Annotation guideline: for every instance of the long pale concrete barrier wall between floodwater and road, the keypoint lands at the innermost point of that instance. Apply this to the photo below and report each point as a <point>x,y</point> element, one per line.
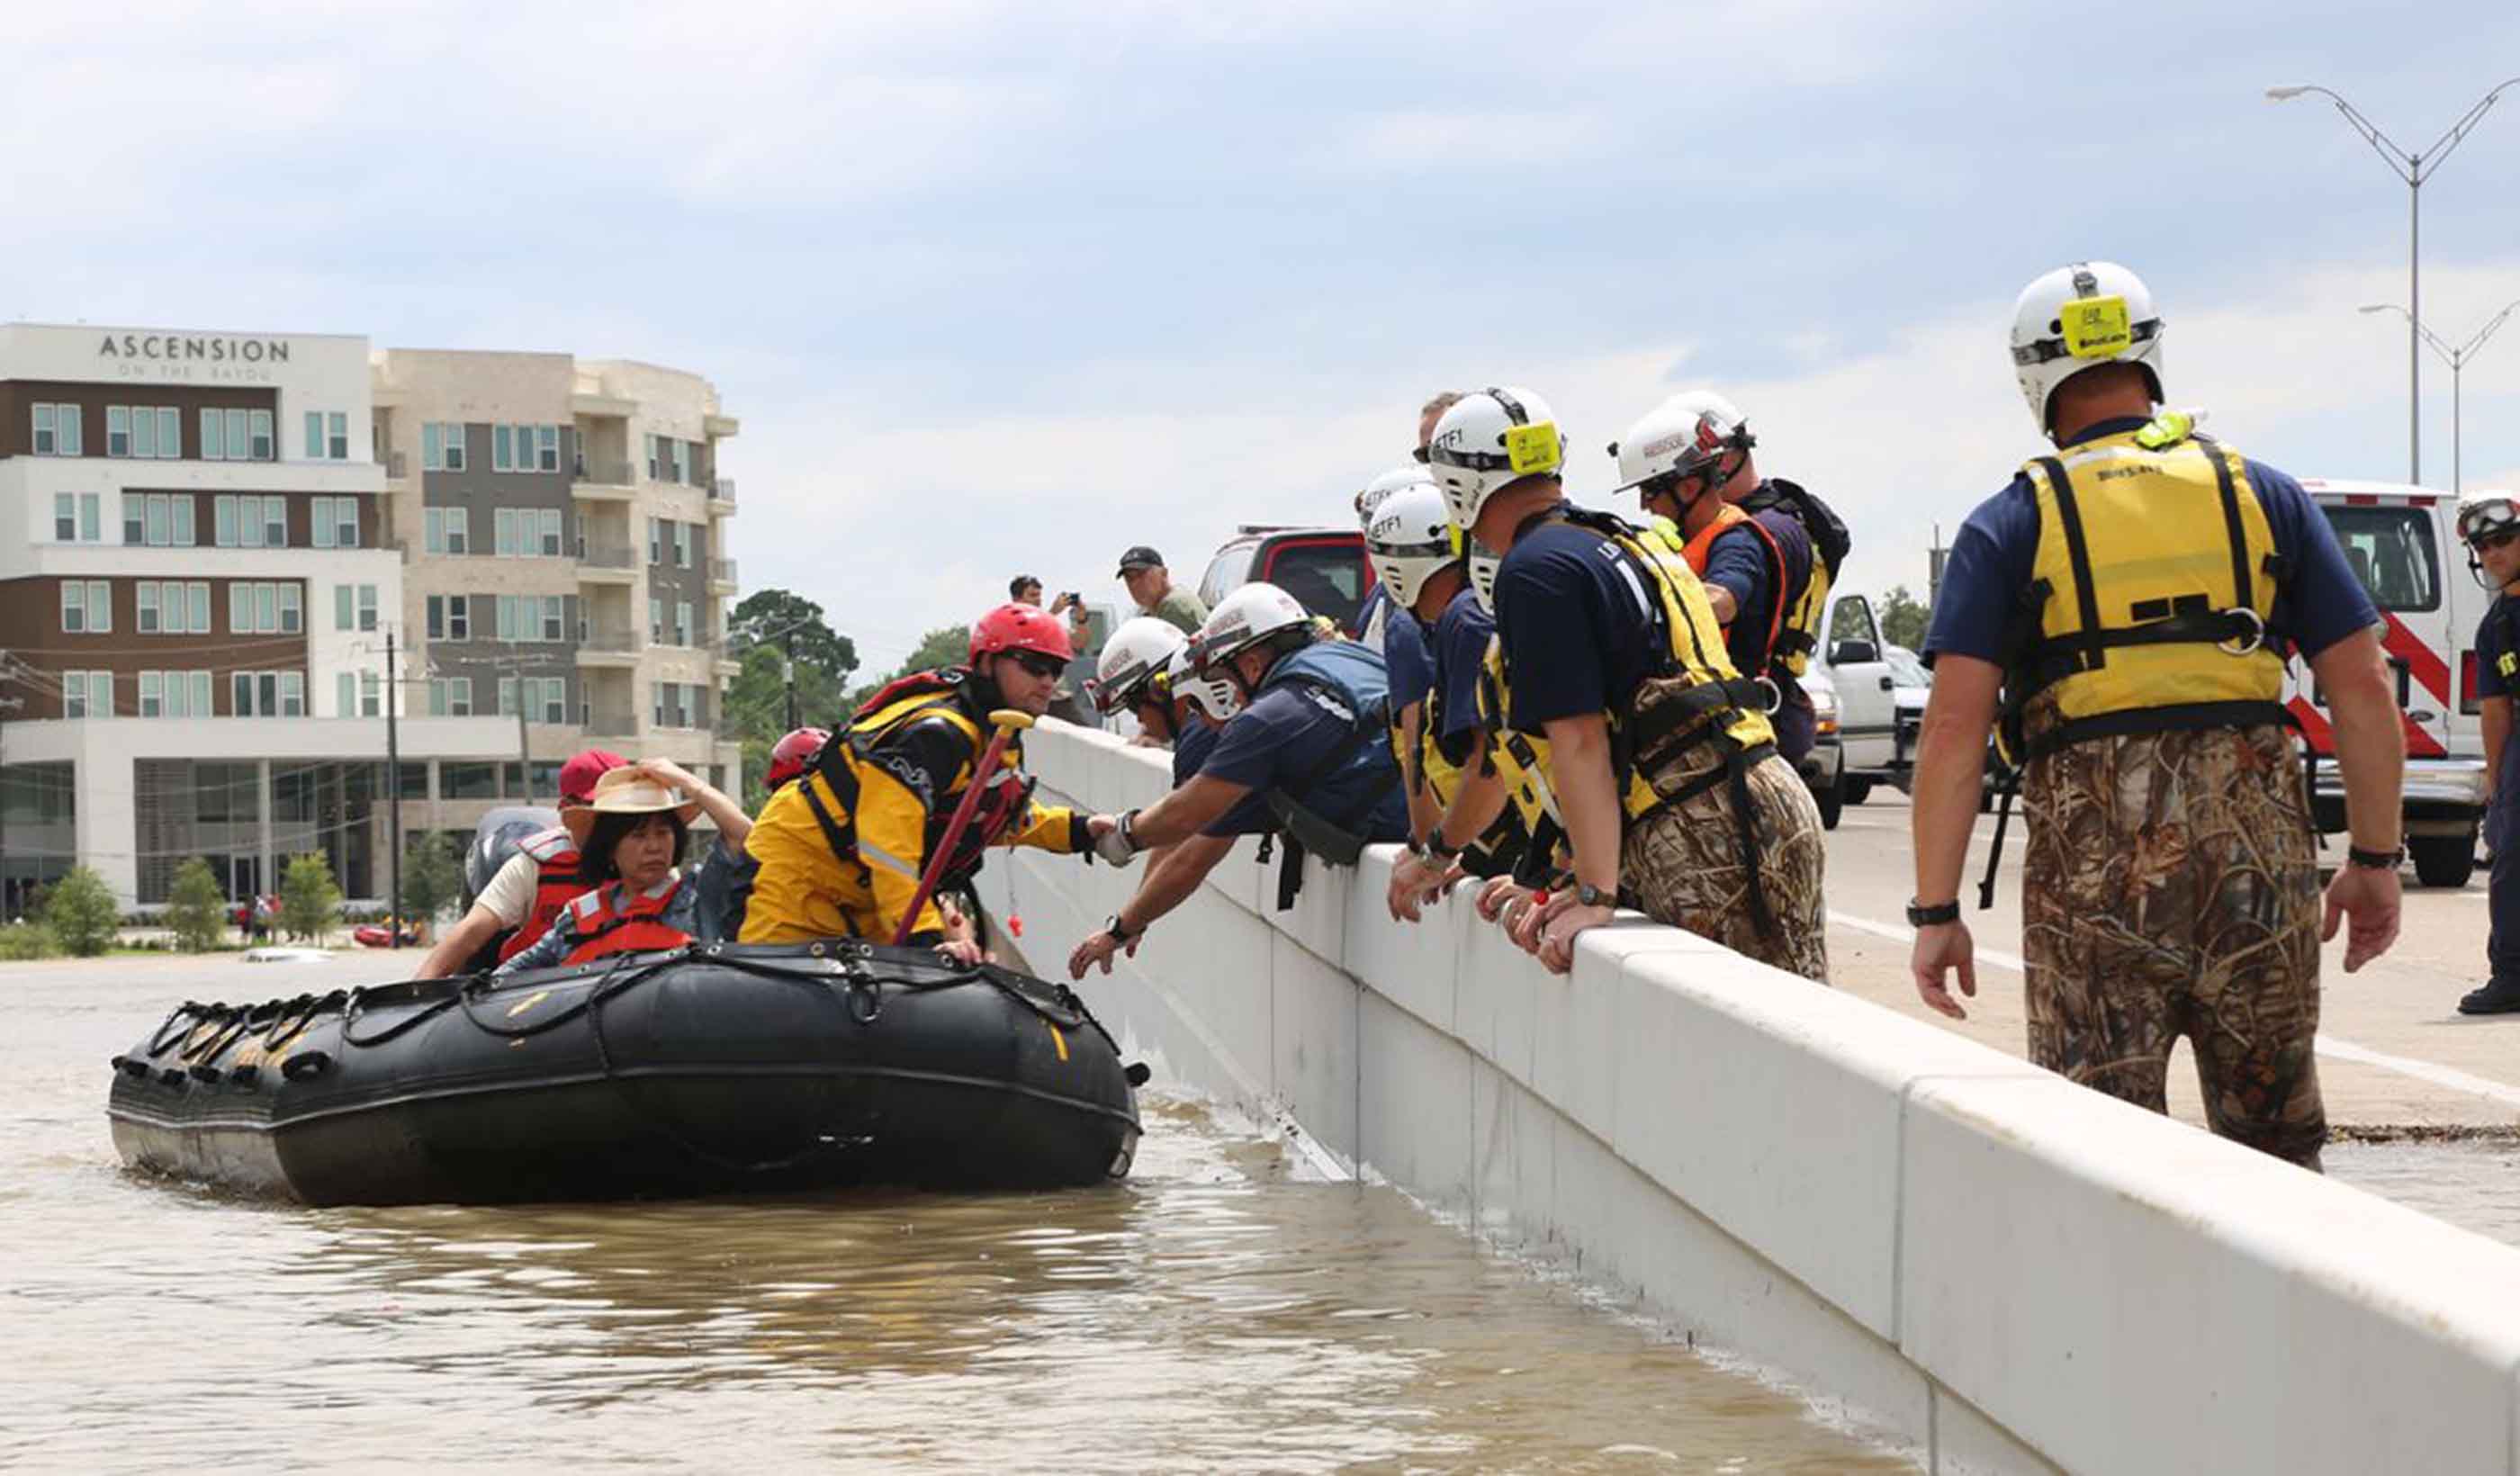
<point>1937,1240</point>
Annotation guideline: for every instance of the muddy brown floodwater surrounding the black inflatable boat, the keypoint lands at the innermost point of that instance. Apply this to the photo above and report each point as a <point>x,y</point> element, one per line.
<point>1211,1314</point>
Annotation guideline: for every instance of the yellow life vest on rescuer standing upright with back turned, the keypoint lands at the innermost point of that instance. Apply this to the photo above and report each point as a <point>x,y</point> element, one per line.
<point>2151,593</point>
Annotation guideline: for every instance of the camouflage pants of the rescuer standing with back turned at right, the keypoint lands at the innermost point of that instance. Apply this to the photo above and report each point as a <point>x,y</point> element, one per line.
<point>2168,890</point>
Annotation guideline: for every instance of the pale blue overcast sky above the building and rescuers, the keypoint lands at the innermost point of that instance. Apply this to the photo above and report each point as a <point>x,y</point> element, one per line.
<point>1017,286</point>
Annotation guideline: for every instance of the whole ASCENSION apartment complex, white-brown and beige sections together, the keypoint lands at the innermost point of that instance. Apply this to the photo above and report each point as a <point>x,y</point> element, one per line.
<point>210,540</point>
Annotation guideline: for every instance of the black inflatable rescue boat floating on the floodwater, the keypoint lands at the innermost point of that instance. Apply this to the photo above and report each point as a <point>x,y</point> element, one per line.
<point>697,1072</point>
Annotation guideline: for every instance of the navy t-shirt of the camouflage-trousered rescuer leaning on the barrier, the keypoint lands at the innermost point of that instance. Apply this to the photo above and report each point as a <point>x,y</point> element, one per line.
<point>1576,623</point>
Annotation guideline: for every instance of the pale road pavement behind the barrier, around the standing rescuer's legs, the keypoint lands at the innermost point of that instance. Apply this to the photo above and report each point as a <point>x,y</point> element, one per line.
<point>2393,1049</point>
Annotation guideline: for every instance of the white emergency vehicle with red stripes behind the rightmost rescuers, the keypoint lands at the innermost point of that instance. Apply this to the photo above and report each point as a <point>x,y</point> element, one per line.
<point>2403,545</point>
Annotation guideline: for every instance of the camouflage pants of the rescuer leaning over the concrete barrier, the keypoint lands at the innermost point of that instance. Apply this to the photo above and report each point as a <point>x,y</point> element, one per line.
<point>1685,865</point>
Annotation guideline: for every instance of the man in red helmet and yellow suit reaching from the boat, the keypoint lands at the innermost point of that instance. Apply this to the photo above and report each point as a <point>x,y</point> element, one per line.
<point>843,850</point>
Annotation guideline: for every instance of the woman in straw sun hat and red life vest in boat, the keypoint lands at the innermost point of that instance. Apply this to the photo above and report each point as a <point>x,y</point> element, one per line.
<point>631,837</point>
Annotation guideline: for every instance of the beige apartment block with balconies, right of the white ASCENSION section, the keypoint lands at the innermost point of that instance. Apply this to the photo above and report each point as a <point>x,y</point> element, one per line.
<point>563,535</point>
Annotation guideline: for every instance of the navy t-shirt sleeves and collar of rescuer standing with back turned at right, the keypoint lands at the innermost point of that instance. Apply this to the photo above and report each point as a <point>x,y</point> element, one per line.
<point>1992,563</point>
